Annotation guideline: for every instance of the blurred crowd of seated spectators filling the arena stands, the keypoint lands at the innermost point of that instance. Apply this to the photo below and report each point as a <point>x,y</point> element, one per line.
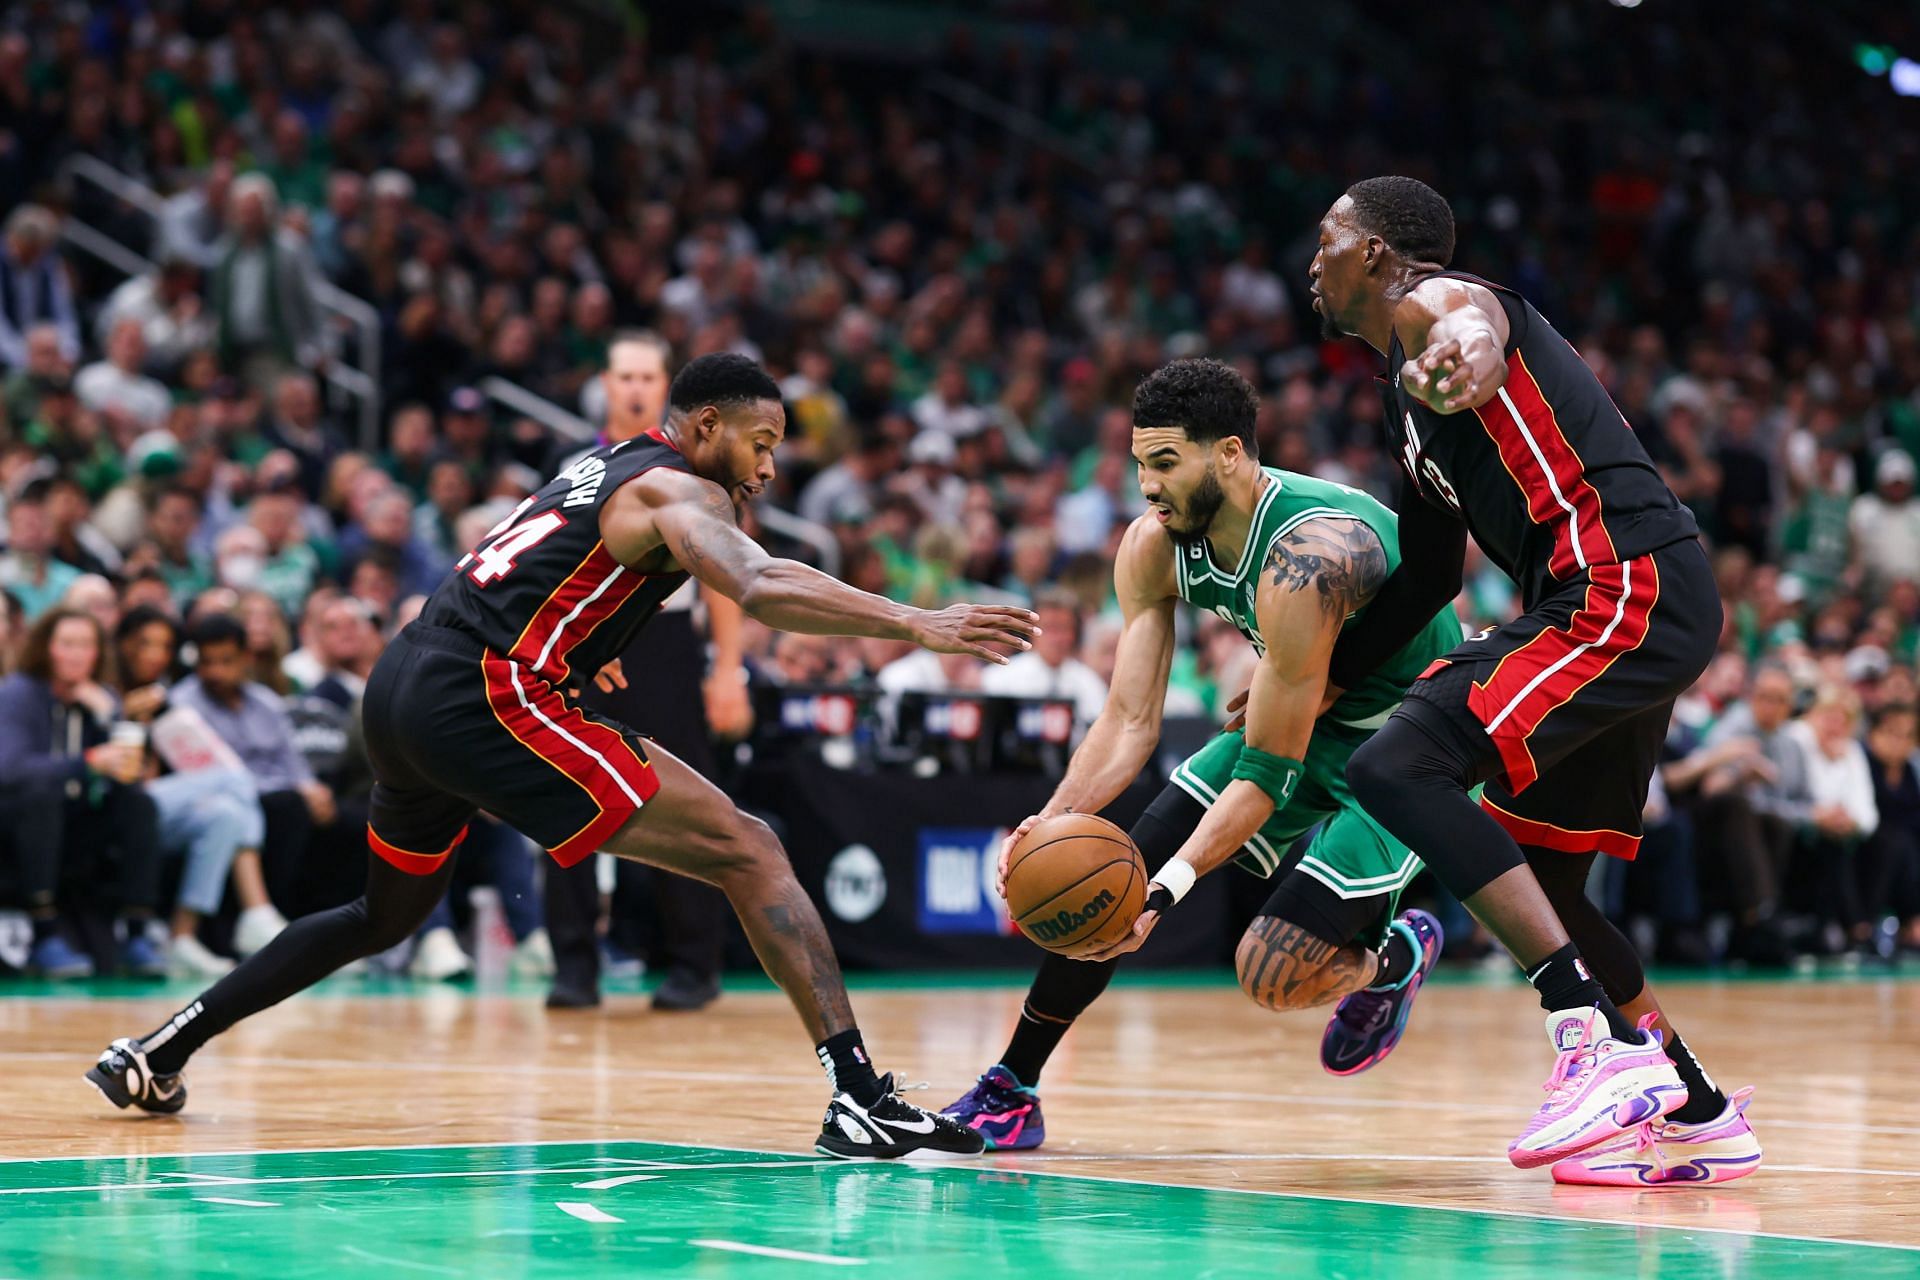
<point>957,304</point>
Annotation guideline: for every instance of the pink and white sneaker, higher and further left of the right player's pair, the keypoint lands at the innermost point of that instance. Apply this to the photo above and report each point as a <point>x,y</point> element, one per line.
<point>1600,1089</point>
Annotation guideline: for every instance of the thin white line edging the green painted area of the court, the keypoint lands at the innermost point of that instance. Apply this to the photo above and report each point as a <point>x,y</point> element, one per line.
<point>1011,1166</point>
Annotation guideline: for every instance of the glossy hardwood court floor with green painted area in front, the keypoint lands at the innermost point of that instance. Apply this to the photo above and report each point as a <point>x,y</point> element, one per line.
<point>1189,1133</point>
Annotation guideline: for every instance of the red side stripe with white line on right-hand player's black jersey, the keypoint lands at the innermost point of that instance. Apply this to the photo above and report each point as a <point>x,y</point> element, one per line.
<point>1548,471</point>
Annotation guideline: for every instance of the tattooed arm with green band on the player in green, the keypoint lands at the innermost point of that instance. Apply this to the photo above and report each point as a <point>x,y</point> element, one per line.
<point>1314,577</point>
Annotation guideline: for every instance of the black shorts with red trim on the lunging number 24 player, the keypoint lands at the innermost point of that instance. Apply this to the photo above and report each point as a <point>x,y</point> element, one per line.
<point>454,728</point>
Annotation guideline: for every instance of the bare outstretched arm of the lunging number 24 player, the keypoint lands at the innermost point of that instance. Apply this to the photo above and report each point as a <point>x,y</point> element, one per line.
<point>694,521</point>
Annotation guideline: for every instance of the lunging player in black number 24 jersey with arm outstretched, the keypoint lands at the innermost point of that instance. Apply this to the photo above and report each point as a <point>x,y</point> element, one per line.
<point>466,711</point>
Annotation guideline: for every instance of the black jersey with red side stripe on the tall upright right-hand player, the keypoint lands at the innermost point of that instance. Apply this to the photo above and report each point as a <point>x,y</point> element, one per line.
<point>1548,475</point>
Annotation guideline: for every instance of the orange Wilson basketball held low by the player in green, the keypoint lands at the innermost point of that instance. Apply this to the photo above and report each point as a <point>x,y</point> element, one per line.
<point>1076,884</point>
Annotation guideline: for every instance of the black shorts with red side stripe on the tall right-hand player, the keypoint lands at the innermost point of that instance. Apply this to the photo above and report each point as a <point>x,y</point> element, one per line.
<point>1577,698</point>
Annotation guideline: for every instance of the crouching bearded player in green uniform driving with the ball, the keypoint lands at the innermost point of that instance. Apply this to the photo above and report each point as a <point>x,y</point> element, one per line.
<point>1293,563</point>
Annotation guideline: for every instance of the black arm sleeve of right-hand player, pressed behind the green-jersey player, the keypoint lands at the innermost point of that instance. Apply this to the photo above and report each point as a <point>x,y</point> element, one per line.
<point>1433,550</point>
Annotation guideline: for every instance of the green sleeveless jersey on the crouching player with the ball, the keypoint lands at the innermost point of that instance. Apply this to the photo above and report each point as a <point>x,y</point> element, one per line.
<point>1230,592</point>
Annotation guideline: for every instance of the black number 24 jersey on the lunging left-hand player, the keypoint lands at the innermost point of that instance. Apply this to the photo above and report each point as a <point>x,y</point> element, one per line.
<point>542,590</point>
